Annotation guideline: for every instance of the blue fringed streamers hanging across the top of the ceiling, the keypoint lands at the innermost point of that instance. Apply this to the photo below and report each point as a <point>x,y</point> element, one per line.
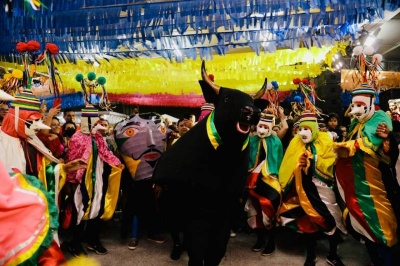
<point>92,30</point>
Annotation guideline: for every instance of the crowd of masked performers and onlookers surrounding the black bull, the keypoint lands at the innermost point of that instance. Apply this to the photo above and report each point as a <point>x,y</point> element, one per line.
<point>337,179</point>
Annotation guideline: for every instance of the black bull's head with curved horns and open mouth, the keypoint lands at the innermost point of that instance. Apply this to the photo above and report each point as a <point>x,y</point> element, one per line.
<point>233,108</point>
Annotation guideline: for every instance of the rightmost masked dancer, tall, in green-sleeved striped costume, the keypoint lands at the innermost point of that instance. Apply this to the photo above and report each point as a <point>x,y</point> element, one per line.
<point>366,177</point>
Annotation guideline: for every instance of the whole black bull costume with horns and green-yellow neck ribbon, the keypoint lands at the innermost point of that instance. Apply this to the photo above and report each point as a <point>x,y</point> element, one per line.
<point>205,171</point>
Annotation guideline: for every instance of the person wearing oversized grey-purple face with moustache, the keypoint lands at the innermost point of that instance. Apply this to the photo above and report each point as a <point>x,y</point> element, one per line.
<point>141,142</point>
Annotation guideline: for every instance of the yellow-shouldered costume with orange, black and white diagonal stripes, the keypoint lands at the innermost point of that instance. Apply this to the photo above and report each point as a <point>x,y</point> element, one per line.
<point>309,203</point>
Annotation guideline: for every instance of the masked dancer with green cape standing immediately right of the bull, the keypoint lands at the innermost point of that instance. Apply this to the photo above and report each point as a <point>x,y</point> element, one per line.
<point>264,190</point>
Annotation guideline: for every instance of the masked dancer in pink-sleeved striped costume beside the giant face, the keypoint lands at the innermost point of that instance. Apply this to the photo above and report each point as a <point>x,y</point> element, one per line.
<point>95,189</point>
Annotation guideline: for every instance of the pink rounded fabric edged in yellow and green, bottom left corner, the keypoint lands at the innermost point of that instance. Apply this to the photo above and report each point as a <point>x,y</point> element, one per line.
<point>28,222</point>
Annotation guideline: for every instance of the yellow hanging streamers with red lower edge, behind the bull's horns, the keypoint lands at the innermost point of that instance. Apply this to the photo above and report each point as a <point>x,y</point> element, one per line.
<point>157,82</point>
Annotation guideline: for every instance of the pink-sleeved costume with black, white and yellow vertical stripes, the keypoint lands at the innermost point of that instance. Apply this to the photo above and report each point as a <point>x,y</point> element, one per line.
<point>91,199</point>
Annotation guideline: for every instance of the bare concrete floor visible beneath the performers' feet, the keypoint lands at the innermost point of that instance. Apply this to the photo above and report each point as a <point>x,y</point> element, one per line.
<point>290,251</point>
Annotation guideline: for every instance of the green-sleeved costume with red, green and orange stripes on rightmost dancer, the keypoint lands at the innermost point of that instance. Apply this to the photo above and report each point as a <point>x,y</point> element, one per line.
<point>364,179</point>
